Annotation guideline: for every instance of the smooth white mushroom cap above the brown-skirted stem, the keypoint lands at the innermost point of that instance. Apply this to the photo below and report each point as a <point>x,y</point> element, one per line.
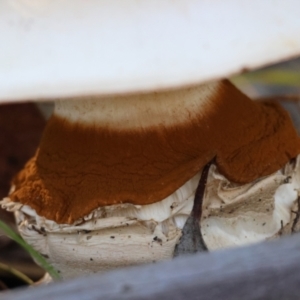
<point>54,49</point>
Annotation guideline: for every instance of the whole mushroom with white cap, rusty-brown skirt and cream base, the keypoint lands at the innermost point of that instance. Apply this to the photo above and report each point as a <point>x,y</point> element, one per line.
<point>114,179</point>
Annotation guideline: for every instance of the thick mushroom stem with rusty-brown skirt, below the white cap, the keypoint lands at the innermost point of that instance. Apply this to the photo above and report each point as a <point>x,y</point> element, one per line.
<point>120,175</point>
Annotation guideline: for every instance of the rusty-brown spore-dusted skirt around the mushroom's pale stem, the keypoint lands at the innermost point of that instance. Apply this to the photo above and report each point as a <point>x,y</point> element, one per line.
<point>80,167</point>
